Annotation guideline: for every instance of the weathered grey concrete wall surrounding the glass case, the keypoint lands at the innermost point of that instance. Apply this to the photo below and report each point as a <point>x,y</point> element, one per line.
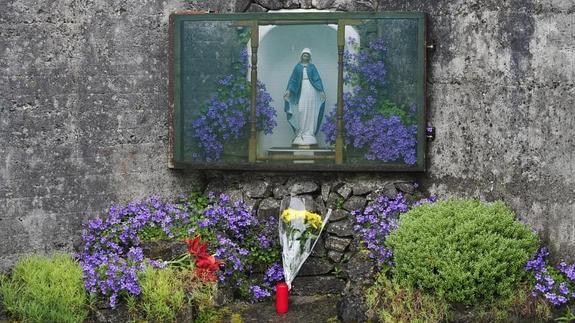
<point>83,109</point>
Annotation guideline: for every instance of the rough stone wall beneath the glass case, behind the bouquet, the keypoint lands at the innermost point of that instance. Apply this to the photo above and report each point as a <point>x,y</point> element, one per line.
<point>338,263</point>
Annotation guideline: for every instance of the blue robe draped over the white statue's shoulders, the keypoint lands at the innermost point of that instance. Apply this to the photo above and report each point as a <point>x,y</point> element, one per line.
<point>294,87</point>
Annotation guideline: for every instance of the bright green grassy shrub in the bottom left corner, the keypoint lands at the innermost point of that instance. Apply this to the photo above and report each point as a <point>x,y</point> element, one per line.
<point>45,289</point>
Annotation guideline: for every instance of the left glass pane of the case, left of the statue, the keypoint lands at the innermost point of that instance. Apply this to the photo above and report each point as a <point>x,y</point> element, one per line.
<point>215,91</point>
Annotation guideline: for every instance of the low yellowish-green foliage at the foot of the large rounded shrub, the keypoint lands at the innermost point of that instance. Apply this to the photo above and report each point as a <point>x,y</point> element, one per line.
<point>391,302</point>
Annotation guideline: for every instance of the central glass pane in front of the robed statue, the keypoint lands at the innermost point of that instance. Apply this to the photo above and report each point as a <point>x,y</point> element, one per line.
<point>298,66</point>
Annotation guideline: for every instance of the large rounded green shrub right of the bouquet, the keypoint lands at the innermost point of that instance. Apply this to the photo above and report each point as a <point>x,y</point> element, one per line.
<point>464,251</point>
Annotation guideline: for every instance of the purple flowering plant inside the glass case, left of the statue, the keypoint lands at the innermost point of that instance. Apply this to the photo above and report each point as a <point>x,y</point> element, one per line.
<point>225,116</point>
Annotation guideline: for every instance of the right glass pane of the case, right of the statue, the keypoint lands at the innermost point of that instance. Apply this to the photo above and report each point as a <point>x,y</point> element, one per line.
<point>381,93</point>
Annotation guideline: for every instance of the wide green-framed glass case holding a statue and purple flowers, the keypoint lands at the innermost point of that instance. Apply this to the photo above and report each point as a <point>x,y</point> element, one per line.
<point>328,91</point>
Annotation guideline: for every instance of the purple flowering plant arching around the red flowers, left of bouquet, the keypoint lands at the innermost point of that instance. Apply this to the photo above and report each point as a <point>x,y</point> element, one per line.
<point>112,255</point>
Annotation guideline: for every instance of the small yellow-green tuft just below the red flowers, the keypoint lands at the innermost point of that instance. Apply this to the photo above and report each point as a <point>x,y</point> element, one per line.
<point>163,294</point>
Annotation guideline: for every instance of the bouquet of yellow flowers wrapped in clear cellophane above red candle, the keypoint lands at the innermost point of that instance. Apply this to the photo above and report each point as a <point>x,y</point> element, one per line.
<point>299,230</point>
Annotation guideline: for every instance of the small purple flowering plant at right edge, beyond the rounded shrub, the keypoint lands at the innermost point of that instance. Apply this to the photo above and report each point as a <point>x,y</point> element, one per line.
<point>555,284</point>
